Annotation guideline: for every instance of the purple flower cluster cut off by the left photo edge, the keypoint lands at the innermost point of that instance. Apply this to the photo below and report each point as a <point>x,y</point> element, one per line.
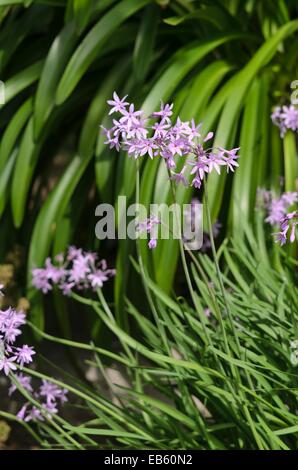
<point>11,322</point>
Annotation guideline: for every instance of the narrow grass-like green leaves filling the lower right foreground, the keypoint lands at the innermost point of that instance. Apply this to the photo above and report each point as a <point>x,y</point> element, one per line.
<point>221,378</point>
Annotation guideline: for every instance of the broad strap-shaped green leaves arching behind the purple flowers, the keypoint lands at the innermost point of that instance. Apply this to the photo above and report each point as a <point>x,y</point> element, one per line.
<point>223,62</point>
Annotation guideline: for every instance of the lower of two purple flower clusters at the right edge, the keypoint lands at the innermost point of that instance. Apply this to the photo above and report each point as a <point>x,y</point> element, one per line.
<point>279,215</point>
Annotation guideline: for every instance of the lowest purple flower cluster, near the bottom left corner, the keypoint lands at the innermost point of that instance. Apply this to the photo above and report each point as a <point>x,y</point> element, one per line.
<point>48,395</point>
